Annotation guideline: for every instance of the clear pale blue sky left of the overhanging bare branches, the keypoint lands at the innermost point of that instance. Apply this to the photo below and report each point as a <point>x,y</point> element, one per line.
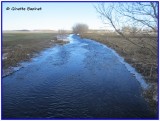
<point>53,15</point>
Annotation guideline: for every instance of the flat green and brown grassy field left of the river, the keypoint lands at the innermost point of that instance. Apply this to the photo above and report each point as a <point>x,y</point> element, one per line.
<point>22,46</point>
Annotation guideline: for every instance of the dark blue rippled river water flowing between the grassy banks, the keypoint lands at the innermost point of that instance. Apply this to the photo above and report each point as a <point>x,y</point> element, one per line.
<point>82,79</point>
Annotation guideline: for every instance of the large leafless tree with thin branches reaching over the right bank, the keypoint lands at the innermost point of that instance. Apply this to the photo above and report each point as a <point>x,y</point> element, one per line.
<point>139,15</point>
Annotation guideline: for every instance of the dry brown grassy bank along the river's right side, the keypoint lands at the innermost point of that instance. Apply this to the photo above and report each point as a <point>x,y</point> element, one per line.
<point>140,58</point>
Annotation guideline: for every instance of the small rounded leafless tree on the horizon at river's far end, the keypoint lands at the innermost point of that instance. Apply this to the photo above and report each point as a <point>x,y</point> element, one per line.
<point>80,28</point>
